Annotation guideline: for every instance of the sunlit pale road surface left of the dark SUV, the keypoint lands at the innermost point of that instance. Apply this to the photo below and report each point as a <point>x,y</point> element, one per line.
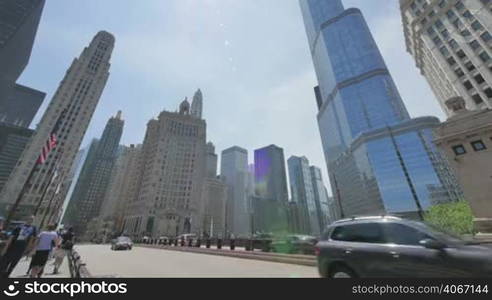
<point>157,263</point>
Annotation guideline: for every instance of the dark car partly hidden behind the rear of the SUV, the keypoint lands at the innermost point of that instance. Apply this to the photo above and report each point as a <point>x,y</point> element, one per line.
<point>299,244</point>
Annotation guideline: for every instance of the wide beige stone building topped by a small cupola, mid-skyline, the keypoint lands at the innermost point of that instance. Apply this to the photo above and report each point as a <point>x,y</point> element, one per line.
<point>172,174</point>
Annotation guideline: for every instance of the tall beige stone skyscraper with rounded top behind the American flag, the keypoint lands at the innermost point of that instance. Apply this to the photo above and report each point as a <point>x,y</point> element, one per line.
<point>76,99</point>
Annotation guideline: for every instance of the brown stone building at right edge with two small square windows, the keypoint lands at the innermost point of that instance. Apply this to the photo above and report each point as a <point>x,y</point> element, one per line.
<point>466,139</point>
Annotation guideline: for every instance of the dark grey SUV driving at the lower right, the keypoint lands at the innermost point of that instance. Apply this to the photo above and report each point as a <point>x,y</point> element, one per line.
<point>393,247</point>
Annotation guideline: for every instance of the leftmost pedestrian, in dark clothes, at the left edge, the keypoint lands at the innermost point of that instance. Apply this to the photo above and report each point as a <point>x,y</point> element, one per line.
<point>20,241</point>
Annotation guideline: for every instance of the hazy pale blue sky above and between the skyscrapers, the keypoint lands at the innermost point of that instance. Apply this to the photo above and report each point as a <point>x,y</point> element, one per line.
<point>250,58</point>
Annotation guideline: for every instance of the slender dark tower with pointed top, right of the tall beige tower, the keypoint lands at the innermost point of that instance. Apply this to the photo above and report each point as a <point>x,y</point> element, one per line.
<point>87,199</point>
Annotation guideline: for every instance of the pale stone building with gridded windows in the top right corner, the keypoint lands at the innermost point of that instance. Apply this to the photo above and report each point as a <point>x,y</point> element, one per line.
<point>451,42</point>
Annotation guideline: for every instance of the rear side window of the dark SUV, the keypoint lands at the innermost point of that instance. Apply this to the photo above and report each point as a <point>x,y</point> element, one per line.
<point>362,233</point>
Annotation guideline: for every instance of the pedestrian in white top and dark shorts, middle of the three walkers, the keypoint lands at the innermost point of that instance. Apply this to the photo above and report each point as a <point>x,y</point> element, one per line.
<point>46,242</point>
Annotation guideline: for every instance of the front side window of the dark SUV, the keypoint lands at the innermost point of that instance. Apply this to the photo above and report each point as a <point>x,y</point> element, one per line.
<point>400,234</point>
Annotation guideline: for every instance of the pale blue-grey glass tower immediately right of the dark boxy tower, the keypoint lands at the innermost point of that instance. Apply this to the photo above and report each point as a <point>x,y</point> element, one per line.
<point>302,193</point>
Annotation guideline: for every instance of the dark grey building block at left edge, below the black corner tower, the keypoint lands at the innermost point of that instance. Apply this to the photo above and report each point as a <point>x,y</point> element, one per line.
<point>21,106</point>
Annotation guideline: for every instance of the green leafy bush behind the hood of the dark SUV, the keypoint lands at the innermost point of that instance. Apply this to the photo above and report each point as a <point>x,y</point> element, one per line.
<point>456,217</point>
